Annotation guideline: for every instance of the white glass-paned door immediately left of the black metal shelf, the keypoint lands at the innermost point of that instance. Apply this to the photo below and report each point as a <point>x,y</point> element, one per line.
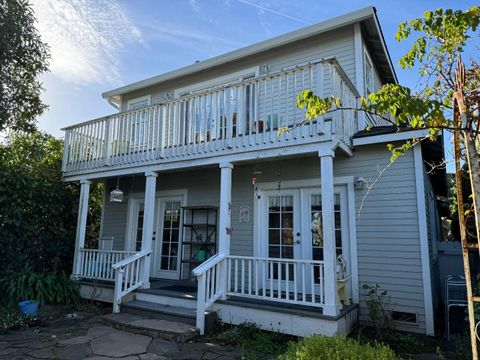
<point>167,246</point>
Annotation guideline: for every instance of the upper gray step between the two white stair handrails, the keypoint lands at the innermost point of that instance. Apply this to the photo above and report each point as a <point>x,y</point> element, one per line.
<point>166,312</point>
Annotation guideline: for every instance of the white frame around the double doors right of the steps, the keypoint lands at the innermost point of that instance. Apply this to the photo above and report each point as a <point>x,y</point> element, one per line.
<point>347,181</point>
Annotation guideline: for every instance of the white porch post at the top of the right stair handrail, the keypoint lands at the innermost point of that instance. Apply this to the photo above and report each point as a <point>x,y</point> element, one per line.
<point>225,219</point>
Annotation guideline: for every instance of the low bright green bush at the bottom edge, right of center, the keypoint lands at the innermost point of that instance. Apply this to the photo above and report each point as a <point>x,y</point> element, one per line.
<point>336,348</point>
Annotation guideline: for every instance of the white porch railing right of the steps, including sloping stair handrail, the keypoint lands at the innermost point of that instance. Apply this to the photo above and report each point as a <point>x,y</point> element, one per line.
<point>281,280</point>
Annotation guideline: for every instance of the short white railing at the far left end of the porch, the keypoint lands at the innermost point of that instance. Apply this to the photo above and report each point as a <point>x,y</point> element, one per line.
<point>97,264</point>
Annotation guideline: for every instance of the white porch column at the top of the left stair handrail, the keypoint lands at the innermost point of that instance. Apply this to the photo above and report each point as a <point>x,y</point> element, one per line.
<point>148,220</point>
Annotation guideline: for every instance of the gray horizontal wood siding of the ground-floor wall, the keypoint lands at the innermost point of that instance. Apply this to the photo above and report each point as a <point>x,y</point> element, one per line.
<point>387,225</point>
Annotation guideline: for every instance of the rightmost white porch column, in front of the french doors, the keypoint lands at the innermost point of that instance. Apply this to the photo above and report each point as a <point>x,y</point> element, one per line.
<point>328,227</point>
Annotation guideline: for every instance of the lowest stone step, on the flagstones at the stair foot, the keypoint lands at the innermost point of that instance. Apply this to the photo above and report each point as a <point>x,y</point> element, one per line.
<point>156,328</point>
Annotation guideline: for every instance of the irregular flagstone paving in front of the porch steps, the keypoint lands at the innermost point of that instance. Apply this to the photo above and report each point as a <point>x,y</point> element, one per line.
<point>89,338</point>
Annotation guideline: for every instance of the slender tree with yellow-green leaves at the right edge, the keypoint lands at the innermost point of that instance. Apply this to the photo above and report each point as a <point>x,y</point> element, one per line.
<point>448,98</point>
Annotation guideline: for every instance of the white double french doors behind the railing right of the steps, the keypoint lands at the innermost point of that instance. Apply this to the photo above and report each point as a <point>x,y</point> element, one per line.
<point>291,228</point>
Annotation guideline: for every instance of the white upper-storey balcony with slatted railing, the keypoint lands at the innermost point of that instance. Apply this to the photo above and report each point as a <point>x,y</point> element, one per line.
<point>241,117</point>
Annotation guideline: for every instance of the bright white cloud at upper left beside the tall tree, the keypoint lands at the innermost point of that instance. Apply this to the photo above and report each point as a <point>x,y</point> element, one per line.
<point>85,37</point>
